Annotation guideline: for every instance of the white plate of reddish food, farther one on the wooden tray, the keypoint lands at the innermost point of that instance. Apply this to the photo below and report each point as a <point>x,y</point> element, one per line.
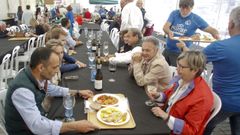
<point>106,99</point>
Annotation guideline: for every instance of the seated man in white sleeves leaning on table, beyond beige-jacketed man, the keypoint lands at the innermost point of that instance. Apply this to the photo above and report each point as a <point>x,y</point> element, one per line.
<point>134,41</point>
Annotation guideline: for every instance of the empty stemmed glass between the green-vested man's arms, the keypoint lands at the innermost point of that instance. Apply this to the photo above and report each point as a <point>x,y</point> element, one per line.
<point>69,103</point>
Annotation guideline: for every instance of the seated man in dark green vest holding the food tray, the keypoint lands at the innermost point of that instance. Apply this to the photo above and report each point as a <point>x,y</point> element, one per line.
<point>24,113</point>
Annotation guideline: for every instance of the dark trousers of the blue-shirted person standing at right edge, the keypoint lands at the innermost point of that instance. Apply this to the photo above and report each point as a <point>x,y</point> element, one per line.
<point>234,118</point>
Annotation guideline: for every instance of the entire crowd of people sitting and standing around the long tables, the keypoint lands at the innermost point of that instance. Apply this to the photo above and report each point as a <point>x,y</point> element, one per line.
<point>184,101</point>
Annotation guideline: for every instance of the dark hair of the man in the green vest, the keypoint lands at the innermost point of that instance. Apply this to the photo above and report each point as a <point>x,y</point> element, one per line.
<point>40,56</point>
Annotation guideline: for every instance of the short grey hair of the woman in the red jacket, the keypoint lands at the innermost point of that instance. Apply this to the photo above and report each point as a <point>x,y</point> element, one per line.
<point>196,60</point>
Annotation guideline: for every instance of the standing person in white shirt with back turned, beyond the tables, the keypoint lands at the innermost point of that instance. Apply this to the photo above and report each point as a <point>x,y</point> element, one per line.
<point>131,16</point>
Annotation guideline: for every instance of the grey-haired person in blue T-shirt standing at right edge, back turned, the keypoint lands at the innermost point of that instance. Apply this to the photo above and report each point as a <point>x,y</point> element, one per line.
<point>224,56</point>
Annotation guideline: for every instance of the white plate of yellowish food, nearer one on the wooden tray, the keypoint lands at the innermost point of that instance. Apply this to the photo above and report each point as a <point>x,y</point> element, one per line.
<point>113,116</point>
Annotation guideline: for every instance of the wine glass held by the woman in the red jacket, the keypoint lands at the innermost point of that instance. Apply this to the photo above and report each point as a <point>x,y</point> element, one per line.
<point>151,89</point>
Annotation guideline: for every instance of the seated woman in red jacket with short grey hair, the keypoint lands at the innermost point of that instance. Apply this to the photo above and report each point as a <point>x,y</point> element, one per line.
<point>188,103</point>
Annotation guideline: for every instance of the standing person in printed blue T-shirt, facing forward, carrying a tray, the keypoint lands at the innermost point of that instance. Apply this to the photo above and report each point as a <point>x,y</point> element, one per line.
<point>183,22</point>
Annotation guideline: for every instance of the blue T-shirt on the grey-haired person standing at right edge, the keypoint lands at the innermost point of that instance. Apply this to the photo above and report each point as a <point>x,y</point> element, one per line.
<point>226,76</point>
